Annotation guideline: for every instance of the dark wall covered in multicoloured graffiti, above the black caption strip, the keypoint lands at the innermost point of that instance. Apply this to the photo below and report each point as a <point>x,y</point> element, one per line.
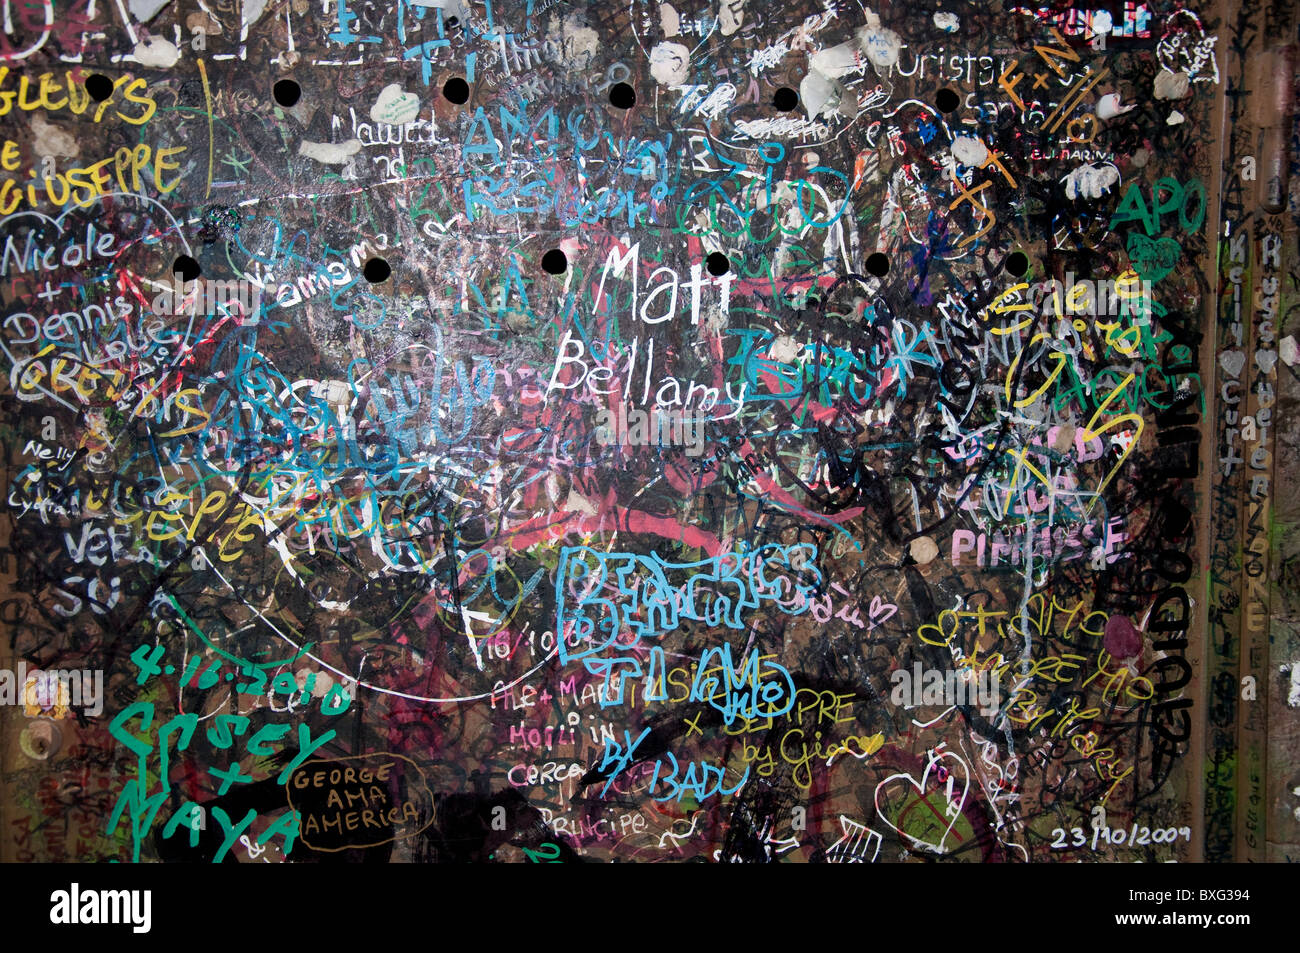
<point>560,431</point>
